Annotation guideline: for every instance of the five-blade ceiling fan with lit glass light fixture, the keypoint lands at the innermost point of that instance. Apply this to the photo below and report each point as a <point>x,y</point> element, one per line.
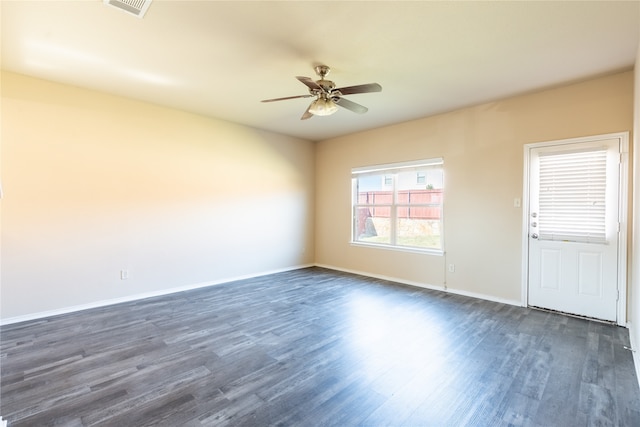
<point>328,97</point>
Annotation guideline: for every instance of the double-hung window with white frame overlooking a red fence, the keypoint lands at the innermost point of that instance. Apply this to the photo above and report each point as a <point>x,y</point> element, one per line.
<point>399,205</point>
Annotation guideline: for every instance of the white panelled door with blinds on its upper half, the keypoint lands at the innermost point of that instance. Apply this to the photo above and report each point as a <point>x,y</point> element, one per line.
<point>573,224</point>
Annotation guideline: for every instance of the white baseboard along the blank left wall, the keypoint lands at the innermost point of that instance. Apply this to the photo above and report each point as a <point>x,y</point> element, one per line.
<point>136,297</point>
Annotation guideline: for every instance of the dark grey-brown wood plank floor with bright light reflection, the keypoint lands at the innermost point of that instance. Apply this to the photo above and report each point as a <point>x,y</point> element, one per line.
<point>315,347</point>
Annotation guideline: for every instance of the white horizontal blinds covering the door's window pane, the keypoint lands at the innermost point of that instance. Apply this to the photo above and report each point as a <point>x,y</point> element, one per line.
<point>572,196</point>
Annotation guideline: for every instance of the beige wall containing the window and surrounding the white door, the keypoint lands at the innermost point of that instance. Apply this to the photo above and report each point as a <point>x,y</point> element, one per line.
<point>483,153</point>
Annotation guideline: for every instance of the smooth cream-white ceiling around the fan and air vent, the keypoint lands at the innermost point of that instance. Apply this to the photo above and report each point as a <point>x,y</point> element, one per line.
<point>220,58</point>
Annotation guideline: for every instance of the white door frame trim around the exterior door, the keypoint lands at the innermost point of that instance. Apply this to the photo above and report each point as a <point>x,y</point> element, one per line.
<point>623,203</point>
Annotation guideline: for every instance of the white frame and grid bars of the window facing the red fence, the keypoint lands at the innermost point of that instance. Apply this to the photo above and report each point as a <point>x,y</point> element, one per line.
<point>394,169</point>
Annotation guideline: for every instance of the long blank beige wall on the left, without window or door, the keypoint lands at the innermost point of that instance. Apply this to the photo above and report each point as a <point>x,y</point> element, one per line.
<point>94,184</point>
